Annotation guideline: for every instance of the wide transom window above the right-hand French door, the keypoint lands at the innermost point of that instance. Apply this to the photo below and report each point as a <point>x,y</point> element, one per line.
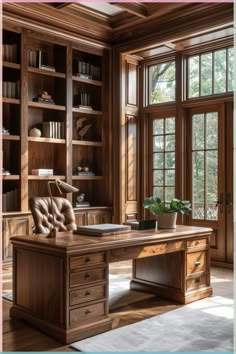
<point>210,73</point>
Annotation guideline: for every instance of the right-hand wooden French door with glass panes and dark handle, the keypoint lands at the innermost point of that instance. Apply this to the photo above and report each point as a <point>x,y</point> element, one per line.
<point>207,175</point>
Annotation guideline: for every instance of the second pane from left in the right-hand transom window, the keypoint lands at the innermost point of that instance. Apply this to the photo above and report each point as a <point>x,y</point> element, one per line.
<point>206,74</point>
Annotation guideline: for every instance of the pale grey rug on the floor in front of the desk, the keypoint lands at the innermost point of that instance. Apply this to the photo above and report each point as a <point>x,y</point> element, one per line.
<point>205,325</point>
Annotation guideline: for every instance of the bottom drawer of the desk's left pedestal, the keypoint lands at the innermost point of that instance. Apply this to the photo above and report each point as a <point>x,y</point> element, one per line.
<point>86,313</point>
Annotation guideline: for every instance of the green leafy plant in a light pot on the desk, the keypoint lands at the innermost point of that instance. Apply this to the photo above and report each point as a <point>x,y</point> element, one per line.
<point>166,215</point>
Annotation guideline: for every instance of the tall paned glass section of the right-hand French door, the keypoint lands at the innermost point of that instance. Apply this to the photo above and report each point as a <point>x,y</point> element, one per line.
<point>205,166</point>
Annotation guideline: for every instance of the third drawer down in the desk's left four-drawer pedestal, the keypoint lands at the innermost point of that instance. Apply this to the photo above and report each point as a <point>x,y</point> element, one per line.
<point>87,294</point>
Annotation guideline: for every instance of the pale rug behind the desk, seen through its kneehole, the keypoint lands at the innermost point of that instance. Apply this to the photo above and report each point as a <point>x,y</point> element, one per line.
<point>119,293</point>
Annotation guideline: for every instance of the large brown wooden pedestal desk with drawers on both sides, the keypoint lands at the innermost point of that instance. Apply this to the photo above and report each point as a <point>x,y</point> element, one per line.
<point>61,285</point>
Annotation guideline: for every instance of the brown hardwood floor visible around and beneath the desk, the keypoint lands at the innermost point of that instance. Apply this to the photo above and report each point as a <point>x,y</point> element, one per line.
<point>18,336</point>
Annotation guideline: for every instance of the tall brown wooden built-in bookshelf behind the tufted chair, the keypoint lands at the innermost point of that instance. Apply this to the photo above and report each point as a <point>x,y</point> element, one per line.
<point>55,121</point>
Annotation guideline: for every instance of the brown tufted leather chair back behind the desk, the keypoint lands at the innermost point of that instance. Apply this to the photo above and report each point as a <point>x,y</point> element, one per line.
<point>41,209</point>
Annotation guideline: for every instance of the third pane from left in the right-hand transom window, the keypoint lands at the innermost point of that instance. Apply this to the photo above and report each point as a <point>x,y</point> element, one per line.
<point>220,71</point>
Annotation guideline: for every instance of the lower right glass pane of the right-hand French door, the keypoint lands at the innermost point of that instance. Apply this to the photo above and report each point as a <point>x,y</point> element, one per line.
<point>211,185</point>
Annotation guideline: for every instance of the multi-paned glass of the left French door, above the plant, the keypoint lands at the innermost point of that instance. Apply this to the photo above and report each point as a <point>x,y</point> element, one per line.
<point>163,148</point>
